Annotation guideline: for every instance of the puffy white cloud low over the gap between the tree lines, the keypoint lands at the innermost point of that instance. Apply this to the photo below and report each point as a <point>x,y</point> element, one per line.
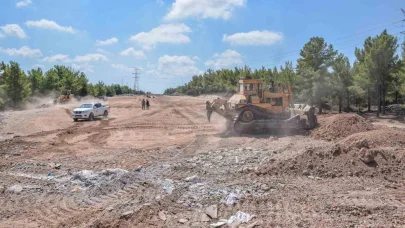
<point>174,66</point>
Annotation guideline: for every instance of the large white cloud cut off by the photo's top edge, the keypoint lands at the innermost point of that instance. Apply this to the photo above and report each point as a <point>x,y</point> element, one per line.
<point>182,9</point>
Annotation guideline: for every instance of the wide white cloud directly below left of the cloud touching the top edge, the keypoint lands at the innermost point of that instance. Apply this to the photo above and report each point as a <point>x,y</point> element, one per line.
<point>166,33</point>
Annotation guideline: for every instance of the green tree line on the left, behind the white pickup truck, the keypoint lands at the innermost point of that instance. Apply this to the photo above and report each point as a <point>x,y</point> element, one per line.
<point>18,87</point>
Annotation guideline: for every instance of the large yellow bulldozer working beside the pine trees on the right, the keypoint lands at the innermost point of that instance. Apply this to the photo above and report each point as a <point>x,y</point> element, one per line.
<point>254,108</point>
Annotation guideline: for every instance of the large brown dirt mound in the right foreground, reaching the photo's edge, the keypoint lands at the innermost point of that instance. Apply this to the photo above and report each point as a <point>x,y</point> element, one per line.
<point>376,153</point>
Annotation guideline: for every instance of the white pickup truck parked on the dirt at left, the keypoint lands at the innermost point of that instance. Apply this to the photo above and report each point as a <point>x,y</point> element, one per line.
<point>90,110</point>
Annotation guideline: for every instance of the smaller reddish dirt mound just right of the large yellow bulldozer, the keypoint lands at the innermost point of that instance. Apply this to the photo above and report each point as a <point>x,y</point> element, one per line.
<point>338,126</point>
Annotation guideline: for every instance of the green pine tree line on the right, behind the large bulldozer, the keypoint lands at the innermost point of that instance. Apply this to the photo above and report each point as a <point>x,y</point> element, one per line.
<point>323,75</point>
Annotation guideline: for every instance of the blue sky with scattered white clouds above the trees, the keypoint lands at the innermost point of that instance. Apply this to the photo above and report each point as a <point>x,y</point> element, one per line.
<point>171,40</point>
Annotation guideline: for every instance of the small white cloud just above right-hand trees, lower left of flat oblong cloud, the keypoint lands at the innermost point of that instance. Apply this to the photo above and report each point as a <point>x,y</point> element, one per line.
<point>226,59</point>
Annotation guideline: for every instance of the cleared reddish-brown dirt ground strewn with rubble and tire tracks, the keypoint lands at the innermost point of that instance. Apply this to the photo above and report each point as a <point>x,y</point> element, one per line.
<point>170,167</point>
